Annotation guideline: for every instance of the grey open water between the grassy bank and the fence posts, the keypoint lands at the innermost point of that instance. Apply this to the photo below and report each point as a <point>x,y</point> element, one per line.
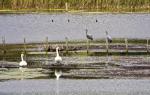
<point>35,27</point>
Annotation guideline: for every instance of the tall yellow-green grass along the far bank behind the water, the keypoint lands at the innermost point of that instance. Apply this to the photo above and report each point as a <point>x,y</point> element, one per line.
<point>95,5</point>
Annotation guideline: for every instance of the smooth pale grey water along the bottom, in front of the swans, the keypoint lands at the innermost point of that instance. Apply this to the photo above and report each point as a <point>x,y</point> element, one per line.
<point>75,87</point>
